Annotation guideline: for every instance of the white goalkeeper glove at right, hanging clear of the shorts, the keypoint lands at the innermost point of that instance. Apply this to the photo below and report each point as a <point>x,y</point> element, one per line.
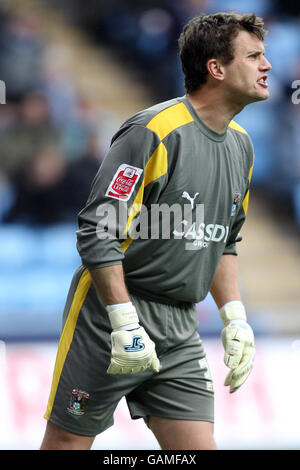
<point>238,342</point>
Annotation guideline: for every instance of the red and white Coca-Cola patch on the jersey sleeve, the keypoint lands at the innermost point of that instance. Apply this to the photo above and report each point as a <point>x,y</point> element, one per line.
<point>122,185</point>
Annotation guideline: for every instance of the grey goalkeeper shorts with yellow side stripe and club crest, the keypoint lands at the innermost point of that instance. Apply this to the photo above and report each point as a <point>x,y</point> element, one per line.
<point>83,396</point>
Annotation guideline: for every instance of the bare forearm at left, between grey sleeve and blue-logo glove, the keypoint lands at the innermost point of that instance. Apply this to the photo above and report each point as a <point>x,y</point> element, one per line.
<point>110,284</point>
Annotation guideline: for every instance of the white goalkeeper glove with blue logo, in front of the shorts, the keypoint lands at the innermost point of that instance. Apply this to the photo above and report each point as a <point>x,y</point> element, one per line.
<point>132,349</point>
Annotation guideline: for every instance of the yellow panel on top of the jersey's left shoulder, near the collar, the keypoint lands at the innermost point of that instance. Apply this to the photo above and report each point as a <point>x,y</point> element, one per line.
<point>170,119</point>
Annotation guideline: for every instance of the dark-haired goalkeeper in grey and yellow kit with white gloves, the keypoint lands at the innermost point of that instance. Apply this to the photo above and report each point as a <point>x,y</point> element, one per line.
<point>130,322</point>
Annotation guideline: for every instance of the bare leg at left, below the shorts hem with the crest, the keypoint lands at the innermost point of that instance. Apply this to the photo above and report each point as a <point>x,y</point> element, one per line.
<point>56,438</point>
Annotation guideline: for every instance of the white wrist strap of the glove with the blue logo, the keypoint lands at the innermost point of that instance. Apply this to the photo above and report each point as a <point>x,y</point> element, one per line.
<point>123,316</point>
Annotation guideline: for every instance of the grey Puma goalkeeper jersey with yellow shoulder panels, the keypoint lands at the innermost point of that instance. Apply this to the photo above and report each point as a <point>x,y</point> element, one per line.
<point>168,201</point>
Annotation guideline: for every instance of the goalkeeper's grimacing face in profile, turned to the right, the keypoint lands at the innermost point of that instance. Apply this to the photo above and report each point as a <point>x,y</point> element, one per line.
<point>245,77</point>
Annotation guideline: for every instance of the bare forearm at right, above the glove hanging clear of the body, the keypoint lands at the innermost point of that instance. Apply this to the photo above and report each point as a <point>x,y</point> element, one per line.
<point>225,286</point>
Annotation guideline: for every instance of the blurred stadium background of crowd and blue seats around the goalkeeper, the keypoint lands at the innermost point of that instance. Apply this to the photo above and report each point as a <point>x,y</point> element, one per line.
<point>73,74</point>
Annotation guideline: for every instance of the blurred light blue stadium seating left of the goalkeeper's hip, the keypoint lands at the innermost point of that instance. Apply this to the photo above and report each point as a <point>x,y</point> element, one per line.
<point>37,267</point>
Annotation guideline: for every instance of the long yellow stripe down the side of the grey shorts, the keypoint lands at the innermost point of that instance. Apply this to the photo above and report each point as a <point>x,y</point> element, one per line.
<point>67,334</point>
